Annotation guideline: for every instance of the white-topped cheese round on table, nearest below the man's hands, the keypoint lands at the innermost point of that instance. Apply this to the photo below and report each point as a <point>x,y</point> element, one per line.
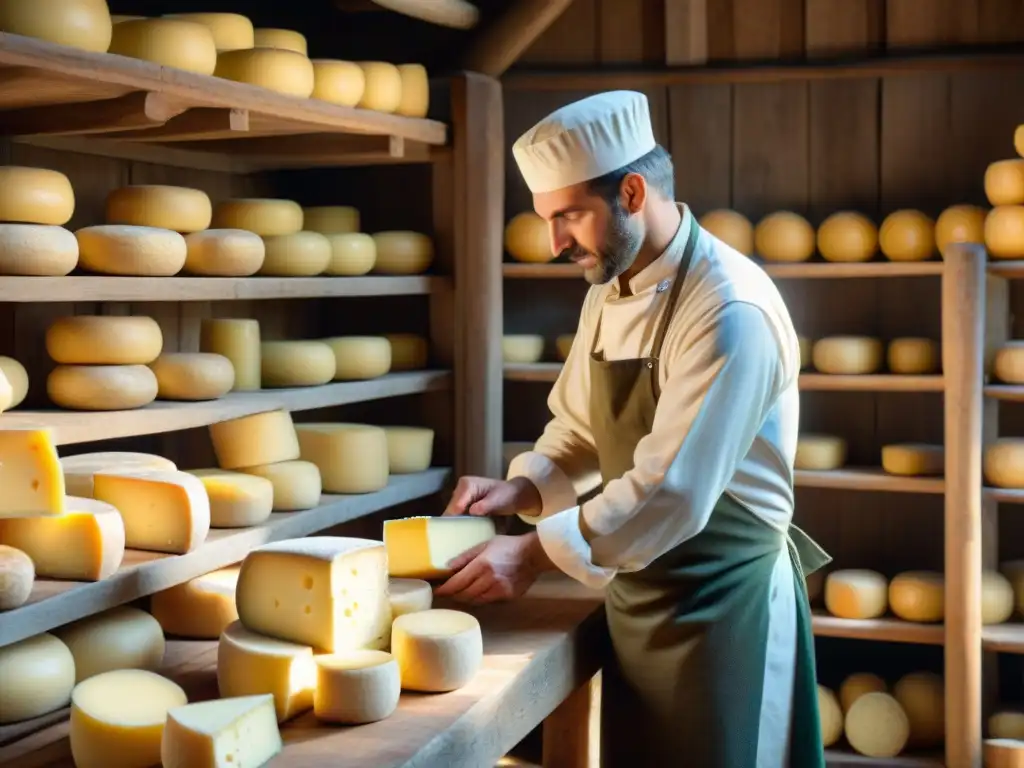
<point>438,650</point>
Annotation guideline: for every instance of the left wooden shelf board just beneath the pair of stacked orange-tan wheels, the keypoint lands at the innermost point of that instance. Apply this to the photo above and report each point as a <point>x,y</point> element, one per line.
<point>87,426</point>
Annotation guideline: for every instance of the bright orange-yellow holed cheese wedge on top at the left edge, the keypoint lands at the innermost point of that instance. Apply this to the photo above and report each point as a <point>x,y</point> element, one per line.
<point>30,475</point>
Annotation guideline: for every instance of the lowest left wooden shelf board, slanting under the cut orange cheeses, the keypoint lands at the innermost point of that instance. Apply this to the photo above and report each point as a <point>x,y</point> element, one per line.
<point>56,604</point>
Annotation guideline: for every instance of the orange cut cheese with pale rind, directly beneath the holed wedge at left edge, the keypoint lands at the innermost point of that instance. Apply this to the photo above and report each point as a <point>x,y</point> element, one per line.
<point>86,544</point>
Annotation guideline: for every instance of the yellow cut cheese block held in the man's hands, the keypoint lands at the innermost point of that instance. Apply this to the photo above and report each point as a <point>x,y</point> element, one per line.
<point>423,547</point>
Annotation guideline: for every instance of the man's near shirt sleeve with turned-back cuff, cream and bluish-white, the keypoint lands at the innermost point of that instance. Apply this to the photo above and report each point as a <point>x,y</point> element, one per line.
<point>723,376</point>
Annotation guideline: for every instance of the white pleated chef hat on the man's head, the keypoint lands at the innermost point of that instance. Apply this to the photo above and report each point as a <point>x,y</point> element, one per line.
<point>585,141</point>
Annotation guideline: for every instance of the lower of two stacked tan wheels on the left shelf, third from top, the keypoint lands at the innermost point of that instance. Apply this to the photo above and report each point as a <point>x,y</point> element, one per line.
<point>102,388</point>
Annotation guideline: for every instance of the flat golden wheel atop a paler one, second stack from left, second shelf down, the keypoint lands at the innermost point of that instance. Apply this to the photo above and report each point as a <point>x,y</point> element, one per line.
<point>178,208</point>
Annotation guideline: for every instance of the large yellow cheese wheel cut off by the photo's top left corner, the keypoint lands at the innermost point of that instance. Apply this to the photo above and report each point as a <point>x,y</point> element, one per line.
<point>78,24</point>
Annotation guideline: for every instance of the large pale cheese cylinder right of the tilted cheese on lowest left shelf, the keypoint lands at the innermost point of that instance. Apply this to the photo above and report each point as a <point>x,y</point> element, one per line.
<point>352,458</point>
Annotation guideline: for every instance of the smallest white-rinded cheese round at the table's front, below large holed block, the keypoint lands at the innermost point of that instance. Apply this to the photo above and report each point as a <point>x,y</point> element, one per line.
<point>358,688</point>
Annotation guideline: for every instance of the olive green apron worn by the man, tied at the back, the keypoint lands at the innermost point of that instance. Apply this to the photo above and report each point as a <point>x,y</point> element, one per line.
<point>691,631</point>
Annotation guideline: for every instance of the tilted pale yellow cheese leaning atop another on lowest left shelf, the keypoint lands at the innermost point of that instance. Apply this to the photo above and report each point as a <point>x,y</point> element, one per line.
<point>257,440</point>
